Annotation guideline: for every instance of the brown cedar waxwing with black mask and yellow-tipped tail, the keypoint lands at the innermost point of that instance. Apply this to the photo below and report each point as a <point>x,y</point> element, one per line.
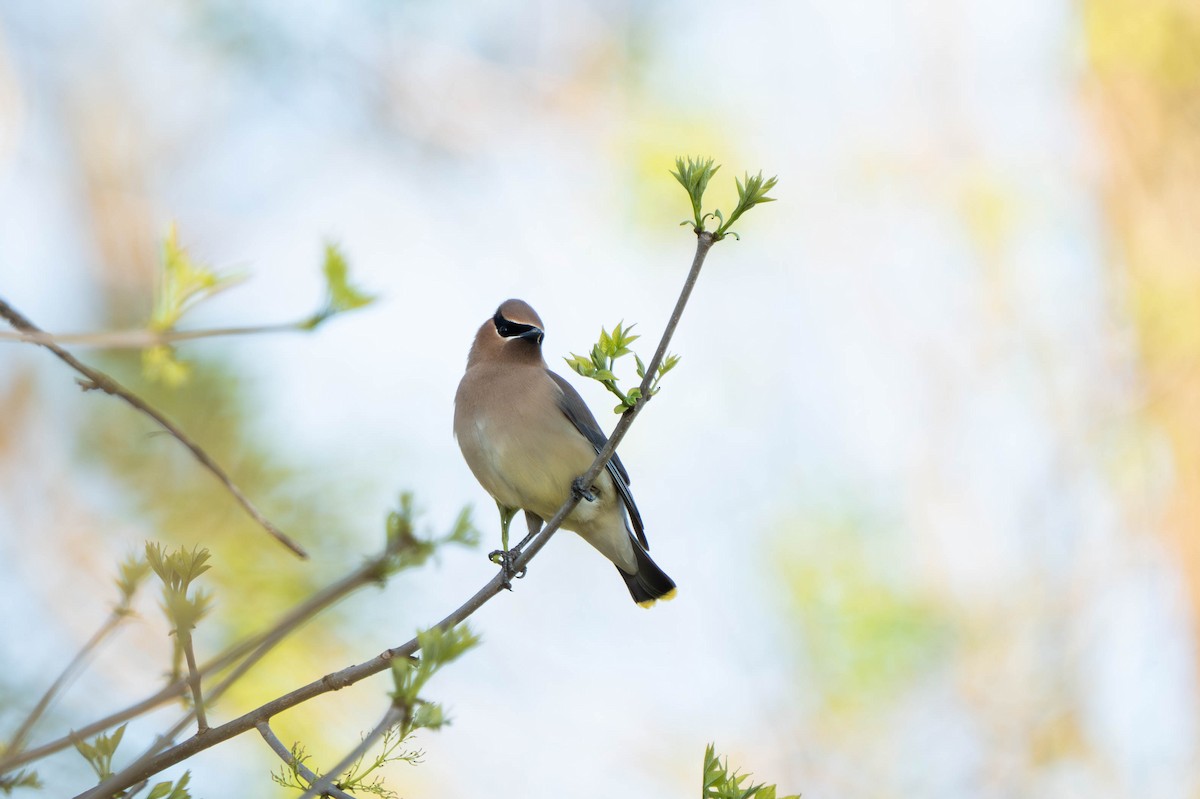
<point>527,437</point>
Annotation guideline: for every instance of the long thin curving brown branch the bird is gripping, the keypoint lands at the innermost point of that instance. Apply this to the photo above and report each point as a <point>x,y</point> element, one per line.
<point>352,675</point>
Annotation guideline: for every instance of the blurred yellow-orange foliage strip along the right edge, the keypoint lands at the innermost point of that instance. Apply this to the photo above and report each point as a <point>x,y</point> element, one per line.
<point>1145,59</point>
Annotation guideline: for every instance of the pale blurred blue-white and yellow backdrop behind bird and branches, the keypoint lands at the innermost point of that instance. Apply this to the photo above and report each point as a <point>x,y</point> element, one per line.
<point>928,474</point>
